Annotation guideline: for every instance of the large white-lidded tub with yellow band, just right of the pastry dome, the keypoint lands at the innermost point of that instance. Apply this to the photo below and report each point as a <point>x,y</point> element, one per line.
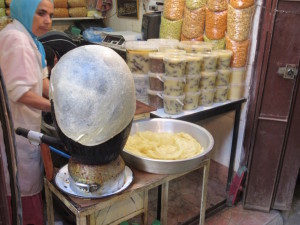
<point>137,53</point>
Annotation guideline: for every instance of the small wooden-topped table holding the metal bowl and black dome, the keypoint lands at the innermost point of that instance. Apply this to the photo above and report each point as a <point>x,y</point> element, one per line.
<point>87,210</point>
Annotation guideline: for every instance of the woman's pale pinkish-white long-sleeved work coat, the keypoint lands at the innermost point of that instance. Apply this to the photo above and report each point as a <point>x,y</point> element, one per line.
<point>20,62</point>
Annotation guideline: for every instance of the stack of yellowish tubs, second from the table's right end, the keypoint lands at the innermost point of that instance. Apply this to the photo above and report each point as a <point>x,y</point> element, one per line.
<point>223,74</point>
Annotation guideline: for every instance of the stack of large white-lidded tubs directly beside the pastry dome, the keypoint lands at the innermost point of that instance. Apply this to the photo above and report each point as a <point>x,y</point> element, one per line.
<point>137,54</point>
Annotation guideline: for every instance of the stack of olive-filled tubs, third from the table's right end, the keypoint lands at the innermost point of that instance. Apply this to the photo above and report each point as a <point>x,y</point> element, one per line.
<point>208,78</point>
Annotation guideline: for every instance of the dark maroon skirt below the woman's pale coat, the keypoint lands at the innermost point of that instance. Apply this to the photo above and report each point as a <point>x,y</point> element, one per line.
<point>32,209</point>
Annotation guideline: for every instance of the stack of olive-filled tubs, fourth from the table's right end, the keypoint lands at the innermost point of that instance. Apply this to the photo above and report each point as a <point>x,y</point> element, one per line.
<point>192,77</point>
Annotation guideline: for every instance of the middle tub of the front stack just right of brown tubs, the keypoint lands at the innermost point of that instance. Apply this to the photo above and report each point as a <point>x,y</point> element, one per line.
<point>173,86</point>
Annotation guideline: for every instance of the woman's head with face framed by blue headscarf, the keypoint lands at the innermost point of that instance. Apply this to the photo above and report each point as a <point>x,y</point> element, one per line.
<point>35,15</point>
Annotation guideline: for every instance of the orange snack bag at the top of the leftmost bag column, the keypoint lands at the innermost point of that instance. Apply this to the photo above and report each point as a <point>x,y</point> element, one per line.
<point>173,9</point>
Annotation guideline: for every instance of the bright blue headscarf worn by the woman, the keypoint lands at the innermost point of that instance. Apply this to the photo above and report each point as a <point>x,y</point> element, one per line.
<point>23,11</point>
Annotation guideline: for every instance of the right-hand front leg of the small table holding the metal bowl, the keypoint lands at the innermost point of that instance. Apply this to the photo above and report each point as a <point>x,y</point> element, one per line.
<point>204,192</point>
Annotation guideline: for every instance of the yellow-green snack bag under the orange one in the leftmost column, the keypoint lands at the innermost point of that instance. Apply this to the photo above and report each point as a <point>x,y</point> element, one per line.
<point>170,29</point>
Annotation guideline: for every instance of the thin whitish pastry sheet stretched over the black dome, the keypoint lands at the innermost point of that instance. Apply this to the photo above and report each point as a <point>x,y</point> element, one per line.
<point>93,95</point>
